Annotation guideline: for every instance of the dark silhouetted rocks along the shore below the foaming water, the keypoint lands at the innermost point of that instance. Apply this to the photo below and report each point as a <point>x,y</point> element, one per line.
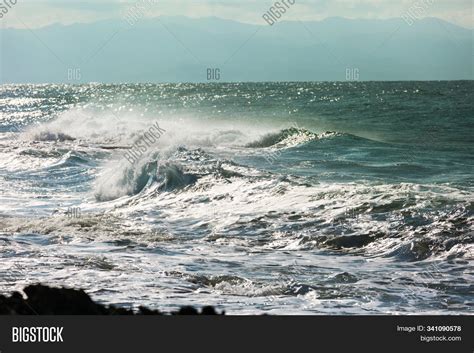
<point>43,300</point>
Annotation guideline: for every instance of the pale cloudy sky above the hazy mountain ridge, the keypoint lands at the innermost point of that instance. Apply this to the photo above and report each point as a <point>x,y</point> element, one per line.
<point>37,13</point>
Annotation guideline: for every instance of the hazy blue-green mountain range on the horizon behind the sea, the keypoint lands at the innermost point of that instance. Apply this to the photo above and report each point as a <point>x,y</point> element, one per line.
<point>179,49</point>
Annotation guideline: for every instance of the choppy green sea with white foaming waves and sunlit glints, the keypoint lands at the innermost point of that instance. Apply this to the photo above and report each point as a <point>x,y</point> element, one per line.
<point>296,198</point>
